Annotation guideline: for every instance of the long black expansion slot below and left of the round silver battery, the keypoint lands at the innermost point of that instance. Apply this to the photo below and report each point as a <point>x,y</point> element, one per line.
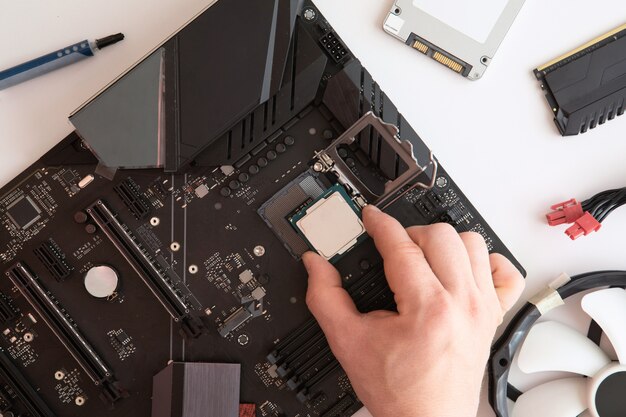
<point>64,329</point>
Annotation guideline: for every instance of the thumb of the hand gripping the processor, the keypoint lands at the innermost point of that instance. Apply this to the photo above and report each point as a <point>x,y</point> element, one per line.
<point>328,301</point>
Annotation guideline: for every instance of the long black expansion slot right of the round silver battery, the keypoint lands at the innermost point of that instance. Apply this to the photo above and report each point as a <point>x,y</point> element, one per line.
<point>148,269</point>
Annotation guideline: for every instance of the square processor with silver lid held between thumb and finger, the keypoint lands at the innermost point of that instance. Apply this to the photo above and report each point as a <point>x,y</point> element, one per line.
<point>331,225</point>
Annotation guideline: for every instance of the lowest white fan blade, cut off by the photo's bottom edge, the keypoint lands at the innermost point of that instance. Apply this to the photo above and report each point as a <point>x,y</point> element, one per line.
<point>561,398</point>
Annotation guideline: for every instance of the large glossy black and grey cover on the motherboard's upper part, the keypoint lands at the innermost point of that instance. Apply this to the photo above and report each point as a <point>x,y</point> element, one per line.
<point>193,88</point>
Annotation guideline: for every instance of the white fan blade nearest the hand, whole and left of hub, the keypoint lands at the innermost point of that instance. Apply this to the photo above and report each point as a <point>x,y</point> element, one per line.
<point>552,346</point>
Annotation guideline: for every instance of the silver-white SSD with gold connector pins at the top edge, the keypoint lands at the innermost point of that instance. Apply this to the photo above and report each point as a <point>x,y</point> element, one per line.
<point>463,36</point>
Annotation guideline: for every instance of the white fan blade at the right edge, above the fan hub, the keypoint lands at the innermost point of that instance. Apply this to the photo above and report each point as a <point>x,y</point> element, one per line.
<point>608,309</point>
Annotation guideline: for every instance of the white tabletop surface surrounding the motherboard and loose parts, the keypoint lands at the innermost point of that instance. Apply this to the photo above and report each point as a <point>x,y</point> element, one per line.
<point>495,136</point>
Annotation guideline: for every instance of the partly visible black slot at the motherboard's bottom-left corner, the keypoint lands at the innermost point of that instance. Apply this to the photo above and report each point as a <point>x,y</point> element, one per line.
<point>22,389</point>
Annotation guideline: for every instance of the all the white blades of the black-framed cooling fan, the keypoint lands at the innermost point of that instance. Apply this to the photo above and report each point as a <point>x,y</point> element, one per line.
<point>600,387</point>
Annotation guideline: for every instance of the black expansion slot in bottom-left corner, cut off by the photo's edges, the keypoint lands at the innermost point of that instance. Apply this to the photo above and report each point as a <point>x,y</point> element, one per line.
<point>20,390</point>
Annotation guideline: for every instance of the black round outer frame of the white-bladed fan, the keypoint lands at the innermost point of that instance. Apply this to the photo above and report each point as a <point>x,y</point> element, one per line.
<point>505,348</point>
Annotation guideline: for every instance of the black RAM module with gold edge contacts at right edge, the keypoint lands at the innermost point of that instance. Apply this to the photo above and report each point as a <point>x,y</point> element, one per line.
<point>587,86</point>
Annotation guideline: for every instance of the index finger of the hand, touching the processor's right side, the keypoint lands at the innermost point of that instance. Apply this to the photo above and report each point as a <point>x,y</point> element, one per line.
<point>408,273</point>
